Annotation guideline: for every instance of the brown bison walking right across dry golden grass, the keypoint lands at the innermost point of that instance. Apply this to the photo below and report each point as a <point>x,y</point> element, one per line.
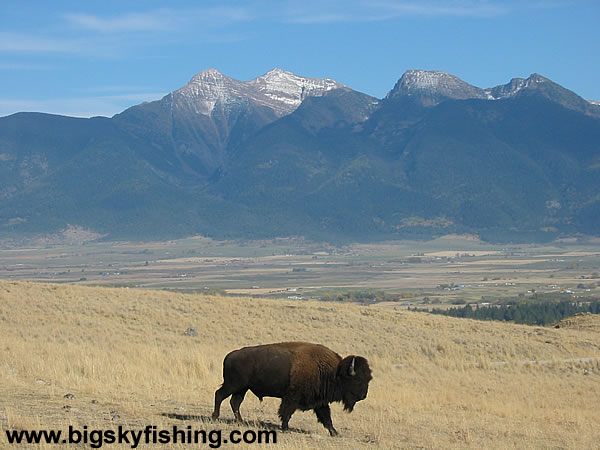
<point>305,376</point>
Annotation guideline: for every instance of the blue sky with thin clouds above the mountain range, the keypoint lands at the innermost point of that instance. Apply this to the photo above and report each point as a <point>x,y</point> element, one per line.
<point>86,58</point>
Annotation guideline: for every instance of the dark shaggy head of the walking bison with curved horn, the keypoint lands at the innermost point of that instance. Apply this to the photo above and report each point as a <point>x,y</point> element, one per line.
<point>353,374</point>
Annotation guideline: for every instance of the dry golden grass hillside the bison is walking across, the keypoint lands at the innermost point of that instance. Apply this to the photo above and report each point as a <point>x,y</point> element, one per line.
<point>123,355</point>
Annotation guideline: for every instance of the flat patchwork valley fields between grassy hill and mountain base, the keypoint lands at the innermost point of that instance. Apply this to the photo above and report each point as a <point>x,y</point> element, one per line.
<point>443,270</point>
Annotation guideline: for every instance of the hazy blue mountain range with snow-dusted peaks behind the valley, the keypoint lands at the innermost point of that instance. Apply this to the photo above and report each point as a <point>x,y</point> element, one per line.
<point>284,155</point>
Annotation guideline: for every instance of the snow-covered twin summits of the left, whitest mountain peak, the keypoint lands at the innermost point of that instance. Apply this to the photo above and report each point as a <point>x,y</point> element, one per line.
<point>277,89</point>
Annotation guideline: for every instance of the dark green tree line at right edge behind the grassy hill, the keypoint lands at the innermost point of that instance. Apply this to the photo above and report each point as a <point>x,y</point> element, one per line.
<point>538,313</point>
